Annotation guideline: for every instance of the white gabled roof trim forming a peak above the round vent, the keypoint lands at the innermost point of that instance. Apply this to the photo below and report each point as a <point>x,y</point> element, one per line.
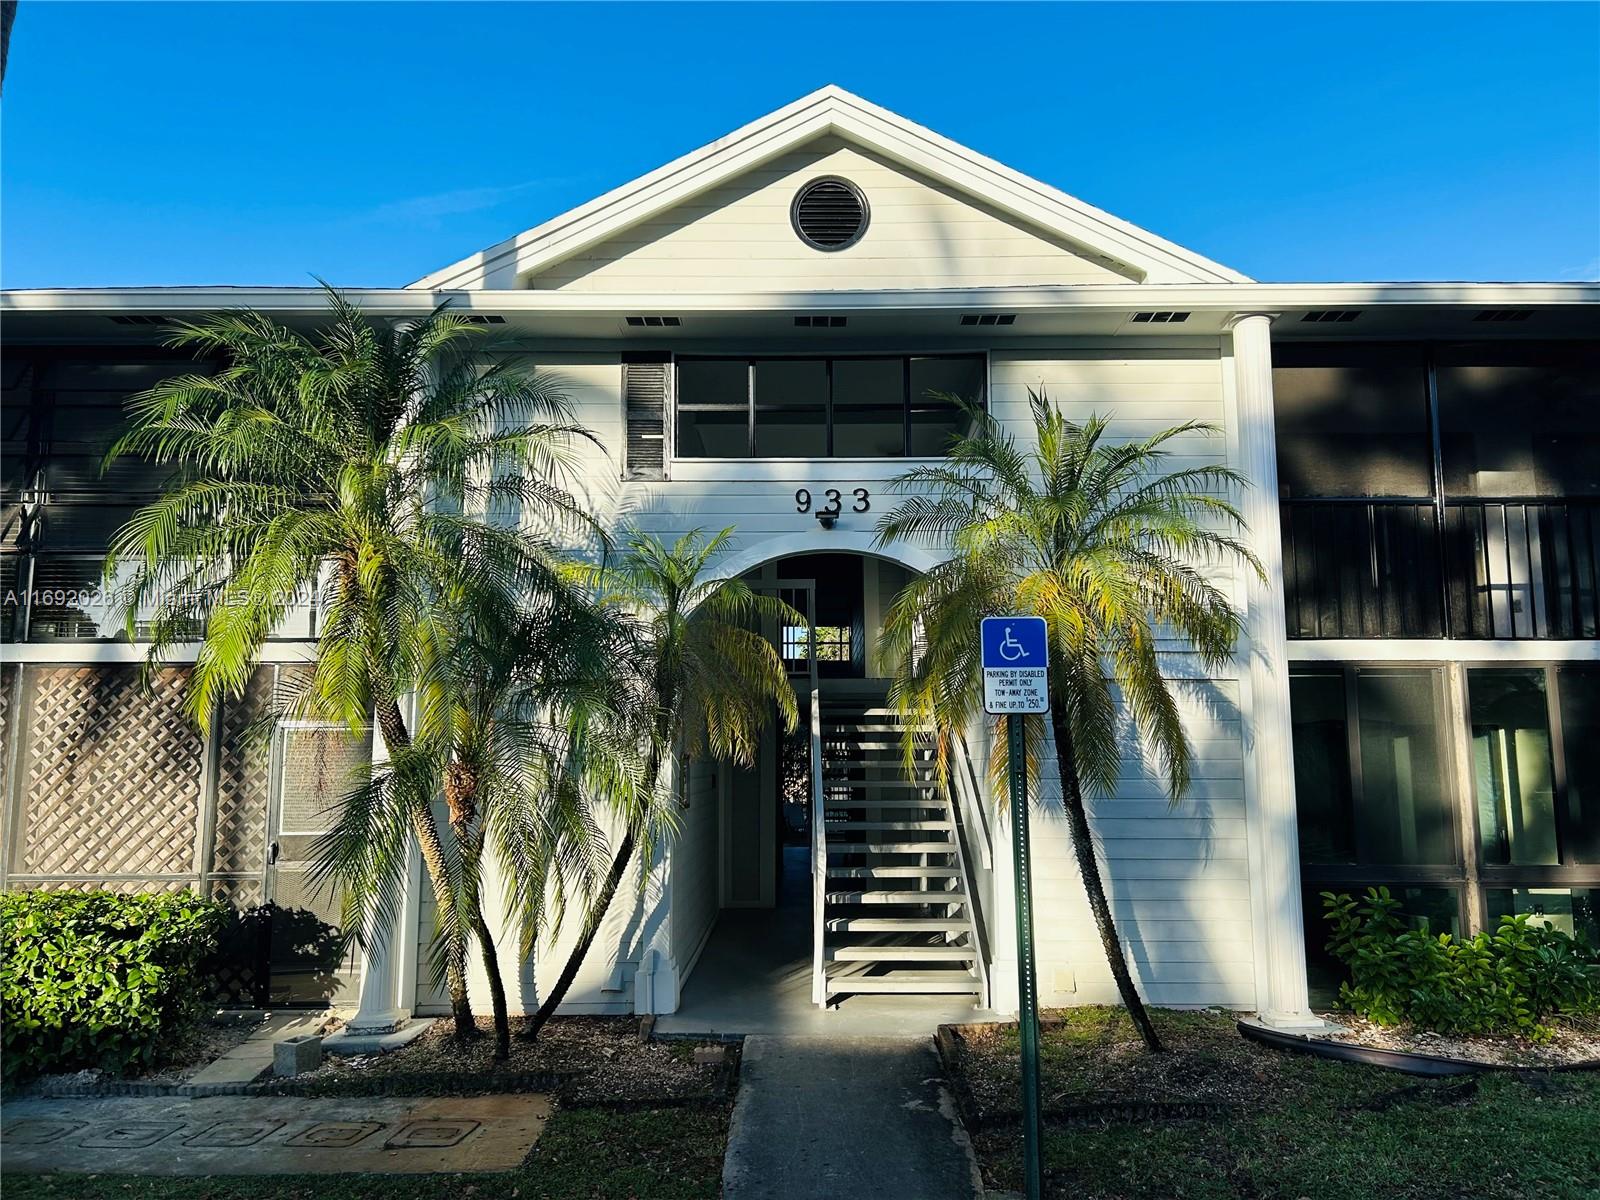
<point>834,111</point>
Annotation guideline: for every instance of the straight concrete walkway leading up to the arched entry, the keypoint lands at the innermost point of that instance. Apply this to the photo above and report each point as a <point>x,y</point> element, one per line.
<point>820,1119</point>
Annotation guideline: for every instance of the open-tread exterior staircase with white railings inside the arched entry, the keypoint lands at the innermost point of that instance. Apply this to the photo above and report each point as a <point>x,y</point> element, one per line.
<point>894,908</point>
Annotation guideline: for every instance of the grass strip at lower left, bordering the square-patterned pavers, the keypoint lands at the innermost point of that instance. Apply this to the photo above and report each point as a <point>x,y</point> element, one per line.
<point>585,1154</point>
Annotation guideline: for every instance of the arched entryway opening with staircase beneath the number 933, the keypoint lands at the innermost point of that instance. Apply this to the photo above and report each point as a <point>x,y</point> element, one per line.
<point>742,868</point>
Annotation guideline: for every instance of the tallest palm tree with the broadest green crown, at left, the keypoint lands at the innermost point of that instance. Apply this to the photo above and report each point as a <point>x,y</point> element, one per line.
<point>350,465</point>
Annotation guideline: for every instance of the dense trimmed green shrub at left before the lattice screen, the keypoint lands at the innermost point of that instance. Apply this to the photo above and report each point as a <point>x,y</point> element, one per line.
<point>100,980</point>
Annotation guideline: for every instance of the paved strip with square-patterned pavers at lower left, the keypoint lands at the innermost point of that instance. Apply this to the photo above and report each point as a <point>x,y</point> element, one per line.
<point>271,1135</point>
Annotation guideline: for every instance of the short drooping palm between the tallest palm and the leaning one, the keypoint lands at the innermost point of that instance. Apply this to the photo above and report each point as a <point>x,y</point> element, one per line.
<point>495,740</point>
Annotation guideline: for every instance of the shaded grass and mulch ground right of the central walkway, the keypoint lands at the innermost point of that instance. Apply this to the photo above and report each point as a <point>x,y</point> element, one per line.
<point>1282,1126</point>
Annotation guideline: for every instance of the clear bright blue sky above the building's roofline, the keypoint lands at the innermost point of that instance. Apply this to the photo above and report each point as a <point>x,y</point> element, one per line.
<point>372,143</point>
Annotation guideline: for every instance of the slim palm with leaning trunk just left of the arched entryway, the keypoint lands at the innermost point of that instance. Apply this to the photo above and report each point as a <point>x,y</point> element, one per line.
<point>708,679</point>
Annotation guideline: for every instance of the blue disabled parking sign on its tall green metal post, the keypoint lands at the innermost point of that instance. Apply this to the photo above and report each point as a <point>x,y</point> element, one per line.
<point>1017,684</point>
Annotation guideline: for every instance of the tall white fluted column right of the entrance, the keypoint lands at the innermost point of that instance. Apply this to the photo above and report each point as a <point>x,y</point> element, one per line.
<point>1270,751</point>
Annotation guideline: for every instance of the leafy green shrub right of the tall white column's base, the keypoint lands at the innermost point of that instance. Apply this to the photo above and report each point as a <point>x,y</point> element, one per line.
<point>1508,982</point>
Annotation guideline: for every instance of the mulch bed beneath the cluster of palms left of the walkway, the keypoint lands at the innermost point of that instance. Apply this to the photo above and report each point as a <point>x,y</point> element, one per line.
<point>602,1052</point>
